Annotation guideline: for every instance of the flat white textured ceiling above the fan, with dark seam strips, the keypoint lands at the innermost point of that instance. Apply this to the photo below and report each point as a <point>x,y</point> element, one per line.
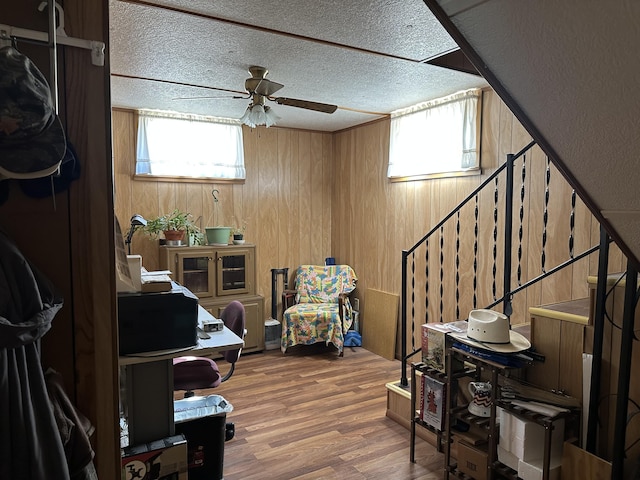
<point>368,57</point>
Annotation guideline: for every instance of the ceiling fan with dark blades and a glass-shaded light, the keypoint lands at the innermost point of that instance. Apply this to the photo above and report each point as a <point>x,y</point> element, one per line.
<point>260,89</point>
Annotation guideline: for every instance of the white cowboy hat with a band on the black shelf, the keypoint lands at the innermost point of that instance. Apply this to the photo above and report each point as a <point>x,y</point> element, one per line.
<point>490,330</point>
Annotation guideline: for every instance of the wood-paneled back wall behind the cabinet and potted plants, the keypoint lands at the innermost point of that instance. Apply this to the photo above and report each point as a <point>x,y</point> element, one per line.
<point>286,199</point>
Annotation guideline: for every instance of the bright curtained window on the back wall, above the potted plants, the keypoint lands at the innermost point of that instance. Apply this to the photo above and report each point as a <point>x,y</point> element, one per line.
<point>176,145</point>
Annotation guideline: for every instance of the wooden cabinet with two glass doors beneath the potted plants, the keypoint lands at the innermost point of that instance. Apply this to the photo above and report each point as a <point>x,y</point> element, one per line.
<point>217,275</point>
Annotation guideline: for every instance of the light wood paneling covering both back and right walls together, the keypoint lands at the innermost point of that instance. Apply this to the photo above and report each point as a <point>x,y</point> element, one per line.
<point>311,195</point>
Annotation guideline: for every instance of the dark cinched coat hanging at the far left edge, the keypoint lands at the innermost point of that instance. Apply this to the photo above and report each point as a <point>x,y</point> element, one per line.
<point>30,444</point>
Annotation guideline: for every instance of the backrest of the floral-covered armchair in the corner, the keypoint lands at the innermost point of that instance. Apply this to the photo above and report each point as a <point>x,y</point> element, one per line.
<point>324,283</point>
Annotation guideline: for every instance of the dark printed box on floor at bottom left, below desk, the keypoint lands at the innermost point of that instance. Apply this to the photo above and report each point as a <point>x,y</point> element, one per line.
<point>164,459</point>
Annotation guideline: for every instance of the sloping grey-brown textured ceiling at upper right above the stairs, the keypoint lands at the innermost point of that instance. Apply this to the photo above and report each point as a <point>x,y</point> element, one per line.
<point>572,69</point>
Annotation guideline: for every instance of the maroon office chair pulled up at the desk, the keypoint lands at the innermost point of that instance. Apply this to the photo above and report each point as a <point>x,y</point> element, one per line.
<point>196,373</point>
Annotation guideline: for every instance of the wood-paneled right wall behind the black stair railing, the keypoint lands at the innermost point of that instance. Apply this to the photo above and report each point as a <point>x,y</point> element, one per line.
<point>374,220</point>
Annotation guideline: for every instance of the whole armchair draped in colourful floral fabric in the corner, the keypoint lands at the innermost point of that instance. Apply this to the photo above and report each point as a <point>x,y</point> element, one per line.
<point>318,310</point>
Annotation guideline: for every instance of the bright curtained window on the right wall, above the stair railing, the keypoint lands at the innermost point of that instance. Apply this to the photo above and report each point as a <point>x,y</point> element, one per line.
<point>436,137</point>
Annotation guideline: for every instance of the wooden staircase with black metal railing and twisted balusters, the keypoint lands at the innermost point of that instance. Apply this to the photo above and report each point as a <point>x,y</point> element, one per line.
<point>500,248</point>
